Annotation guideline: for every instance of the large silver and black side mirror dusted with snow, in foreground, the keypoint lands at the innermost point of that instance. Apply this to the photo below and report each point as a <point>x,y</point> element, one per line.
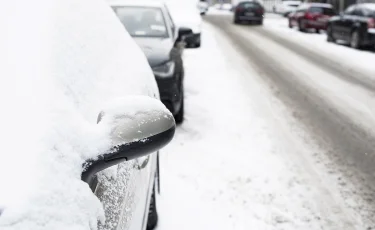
<point>138,126</point>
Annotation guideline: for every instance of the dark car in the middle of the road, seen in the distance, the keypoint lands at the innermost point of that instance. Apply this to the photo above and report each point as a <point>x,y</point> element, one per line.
<point>248,11</point>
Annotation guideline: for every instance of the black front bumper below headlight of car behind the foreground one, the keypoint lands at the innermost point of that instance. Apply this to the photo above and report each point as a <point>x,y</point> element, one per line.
<point>170,93</point>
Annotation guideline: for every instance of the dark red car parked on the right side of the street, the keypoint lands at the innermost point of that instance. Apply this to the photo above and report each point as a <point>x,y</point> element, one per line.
<point>311,16</point>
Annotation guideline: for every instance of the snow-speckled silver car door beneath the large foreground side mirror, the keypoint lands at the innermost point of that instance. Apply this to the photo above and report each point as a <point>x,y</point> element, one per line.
<point>124,191</point>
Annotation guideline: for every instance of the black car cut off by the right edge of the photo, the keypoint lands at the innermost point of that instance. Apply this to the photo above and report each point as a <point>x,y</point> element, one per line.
<point>355,26</point>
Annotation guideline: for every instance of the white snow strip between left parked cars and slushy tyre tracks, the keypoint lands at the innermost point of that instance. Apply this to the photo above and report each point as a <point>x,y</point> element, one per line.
<point>232,164</point>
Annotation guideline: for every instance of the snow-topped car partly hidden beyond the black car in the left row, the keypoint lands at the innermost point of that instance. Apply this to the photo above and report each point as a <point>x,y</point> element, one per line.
<point>186,15</point>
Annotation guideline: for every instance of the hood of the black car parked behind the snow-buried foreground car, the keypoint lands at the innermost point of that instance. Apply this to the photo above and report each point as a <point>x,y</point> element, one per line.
<point>157,50</point>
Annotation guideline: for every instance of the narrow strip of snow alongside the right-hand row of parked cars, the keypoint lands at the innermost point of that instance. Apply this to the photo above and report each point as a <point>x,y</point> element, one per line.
<point>342,54</point>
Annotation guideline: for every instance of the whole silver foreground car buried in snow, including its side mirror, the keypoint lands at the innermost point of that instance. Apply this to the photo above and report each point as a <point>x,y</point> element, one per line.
<point>82,121</point>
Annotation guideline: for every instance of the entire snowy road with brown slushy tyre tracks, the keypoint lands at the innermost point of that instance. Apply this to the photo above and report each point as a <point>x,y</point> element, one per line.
<point>279,134</point>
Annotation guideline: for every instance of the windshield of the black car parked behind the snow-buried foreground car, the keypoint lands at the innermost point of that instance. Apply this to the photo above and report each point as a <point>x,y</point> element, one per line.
<point>142,21</point>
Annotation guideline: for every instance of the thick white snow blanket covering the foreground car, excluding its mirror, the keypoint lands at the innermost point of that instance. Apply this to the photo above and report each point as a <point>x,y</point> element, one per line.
<point>63,61</point>
